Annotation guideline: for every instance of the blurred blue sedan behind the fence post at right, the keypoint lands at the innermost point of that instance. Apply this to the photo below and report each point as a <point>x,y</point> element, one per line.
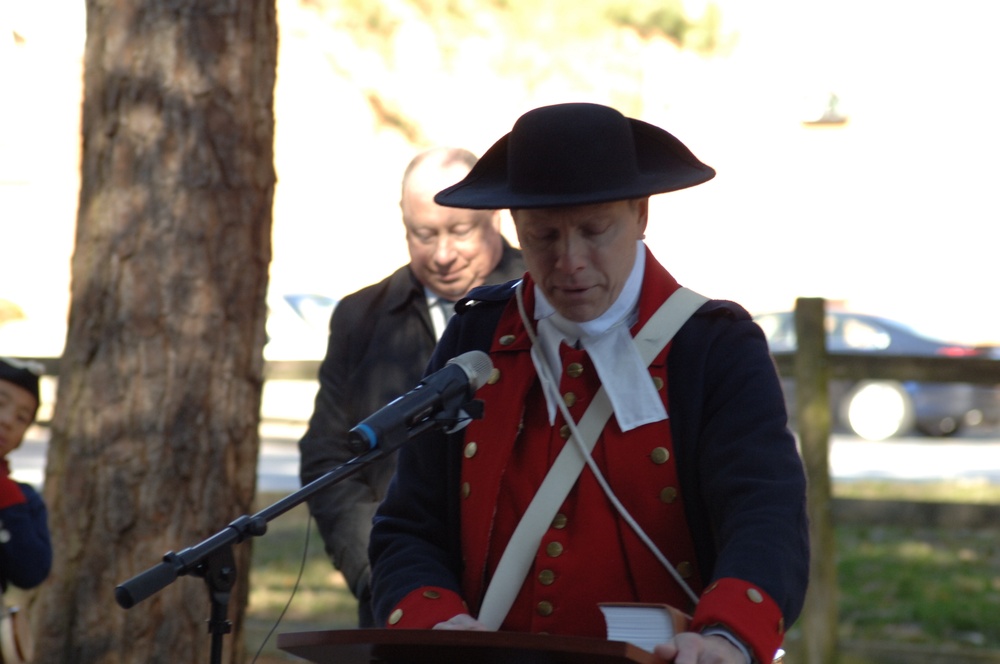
<point>881,409</point>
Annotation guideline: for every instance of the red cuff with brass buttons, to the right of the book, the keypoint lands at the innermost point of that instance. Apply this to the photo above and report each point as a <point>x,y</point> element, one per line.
<point>747,611</point>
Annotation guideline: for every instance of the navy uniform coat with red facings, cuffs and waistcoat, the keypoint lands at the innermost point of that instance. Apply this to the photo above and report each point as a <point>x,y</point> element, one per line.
<point>589,555</point>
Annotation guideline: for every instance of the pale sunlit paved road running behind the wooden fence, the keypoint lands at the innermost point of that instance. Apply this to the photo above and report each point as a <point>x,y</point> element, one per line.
<point>973,456</point>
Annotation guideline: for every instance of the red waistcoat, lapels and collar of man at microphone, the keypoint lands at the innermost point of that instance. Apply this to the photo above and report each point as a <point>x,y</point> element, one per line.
<point>589,554</point>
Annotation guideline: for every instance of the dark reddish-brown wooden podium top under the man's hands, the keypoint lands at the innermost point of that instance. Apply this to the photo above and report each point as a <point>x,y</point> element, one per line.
<point>404,646</point>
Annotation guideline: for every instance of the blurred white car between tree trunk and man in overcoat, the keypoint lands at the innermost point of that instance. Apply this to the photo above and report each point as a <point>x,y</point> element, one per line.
<point>298,326</point>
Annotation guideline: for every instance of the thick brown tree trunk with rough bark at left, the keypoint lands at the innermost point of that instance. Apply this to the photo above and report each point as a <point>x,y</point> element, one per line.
<point>155,432</point>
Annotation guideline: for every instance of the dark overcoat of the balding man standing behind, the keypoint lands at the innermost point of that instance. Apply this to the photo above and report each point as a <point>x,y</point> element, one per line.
<point>381,339</point>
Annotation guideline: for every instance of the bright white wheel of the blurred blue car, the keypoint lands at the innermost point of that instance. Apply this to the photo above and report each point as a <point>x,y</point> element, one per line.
<point>877,410</point>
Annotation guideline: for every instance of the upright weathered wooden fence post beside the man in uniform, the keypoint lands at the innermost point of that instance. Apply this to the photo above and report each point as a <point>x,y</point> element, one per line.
<point>820,613</point>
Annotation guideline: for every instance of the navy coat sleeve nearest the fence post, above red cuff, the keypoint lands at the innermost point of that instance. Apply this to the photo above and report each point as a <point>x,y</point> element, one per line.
<point>747,496</point>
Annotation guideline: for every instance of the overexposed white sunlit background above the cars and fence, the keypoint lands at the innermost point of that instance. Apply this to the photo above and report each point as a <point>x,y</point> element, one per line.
<point>893,211</point>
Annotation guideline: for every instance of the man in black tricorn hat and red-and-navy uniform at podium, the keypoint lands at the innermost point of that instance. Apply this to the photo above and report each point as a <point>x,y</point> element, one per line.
<point>693,493</point>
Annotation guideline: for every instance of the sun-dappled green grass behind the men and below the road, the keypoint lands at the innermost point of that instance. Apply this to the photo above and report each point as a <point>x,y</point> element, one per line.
<point>898,584</point>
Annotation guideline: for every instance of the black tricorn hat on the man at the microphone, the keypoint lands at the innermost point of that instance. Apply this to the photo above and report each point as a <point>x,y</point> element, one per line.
<point>576,154</point>
